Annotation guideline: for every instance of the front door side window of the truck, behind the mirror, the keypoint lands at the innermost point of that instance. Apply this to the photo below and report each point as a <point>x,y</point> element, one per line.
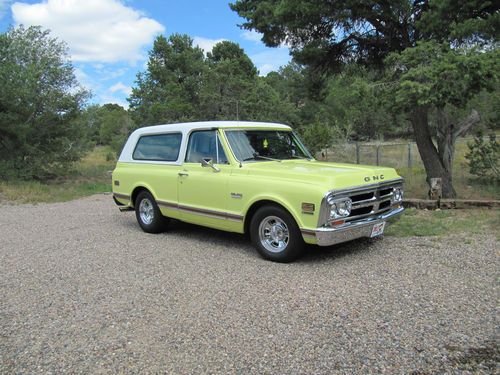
<point>205,144</point>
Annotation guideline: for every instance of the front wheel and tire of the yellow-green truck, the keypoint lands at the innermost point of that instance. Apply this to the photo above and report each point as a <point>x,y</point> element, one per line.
<point>275,234</point>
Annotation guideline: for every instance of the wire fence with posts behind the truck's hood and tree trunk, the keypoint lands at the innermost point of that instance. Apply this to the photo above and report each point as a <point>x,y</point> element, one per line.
<point>405,158</point>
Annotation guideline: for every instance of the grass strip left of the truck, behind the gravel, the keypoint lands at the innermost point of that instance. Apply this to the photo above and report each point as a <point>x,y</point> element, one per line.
<point>89,176</point>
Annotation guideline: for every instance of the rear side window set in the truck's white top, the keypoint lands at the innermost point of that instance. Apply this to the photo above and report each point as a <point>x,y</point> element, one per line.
<point>159,147</point>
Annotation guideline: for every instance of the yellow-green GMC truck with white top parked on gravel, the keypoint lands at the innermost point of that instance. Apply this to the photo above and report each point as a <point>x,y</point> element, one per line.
<point>254,178</point>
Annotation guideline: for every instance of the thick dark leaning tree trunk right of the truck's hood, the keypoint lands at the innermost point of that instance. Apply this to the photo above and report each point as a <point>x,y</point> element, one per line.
<point>428,152</point>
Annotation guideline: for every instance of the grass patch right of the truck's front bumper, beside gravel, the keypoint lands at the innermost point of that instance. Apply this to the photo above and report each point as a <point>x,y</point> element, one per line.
<point>423,223</point>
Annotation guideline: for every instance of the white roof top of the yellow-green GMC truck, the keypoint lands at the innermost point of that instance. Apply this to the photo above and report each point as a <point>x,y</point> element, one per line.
<point>186,127</point>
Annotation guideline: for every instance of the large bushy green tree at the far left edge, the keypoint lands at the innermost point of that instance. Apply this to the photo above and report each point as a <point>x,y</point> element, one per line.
<point>40,101</point>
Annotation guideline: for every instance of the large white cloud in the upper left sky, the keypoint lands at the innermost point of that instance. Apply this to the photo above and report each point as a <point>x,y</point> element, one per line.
<point>95,30</point>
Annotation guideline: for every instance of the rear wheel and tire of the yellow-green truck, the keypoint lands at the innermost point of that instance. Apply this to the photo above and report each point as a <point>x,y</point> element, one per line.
<point>148,214</point>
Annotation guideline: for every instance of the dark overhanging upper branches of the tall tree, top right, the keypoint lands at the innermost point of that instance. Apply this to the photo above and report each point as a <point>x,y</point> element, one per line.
<point>328,34</point>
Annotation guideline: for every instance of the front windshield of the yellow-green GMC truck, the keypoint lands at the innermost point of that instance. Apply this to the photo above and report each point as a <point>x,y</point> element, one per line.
<point>253,145</point>
